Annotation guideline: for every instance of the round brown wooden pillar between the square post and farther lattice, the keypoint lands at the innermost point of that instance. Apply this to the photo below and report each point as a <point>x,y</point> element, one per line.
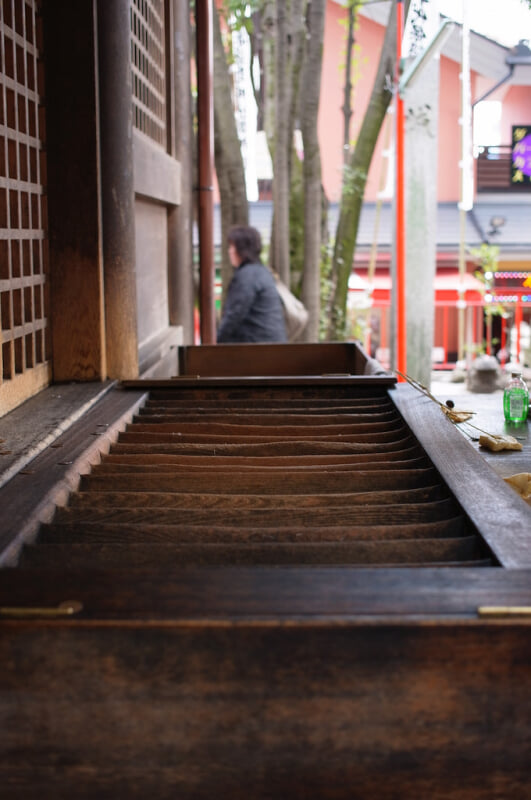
<point>114,51</point>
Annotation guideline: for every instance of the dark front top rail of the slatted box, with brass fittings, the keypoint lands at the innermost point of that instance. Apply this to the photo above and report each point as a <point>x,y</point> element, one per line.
<point>287,593</point>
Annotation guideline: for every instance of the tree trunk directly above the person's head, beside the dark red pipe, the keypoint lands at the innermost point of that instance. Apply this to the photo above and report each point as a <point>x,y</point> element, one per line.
<point>229,163</point>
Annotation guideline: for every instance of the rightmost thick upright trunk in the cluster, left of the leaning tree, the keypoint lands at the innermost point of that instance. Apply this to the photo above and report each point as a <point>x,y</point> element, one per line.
<point>310,92</point>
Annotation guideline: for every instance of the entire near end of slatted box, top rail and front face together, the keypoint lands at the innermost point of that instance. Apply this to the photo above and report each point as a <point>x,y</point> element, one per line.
<point>277,683</point>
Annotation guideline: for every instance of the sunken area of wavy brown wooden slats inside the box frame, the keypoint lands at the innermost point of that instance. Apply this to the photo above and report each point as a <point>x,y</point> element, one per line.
<point>287,475</point>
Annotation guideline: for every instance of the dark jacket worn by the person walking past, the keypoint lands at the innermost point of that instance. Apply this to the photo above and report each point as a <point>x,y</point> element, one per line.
<point>253,311</point>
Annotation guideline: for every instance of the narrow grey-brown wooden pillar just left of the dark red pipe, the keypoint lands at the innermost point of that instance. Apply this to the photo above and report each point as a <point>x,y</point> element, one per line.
<point>180,218</point>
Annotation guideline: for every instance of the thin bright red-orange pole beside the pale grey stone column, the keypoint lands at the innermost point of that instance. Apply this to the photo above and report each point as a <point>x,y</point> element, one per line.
<point>400,214</point>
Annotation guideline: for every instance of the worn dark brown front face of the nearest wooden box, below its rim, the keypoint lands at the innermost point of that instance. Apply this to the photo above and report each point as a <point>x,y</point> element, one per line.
<point>271,713</point>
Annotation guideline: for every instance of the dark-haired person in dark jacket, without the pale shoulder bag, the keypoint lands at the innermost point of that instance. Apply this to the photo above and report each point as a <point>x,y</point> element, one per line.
<point>252,311</point>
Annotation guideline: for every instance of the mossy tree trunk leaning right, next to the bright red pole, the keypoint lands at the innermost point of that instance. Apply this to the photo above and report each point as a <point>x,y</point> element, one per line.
<point>356,178</point>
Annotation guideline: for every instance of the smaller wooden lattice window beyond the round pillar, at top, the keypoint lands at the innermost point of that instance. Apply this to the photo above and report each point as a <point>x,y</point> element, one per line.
<point>148,67</point>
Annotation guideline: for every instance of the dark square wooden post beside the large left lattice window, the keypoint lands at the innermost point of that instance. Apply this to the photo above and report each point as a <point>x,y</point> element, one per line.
<point>73,190</point>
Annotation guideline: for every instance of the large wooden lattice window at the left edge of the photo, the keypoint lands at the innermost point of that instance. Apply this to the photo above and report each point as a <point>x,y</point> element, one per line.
<point>23,250</point>
